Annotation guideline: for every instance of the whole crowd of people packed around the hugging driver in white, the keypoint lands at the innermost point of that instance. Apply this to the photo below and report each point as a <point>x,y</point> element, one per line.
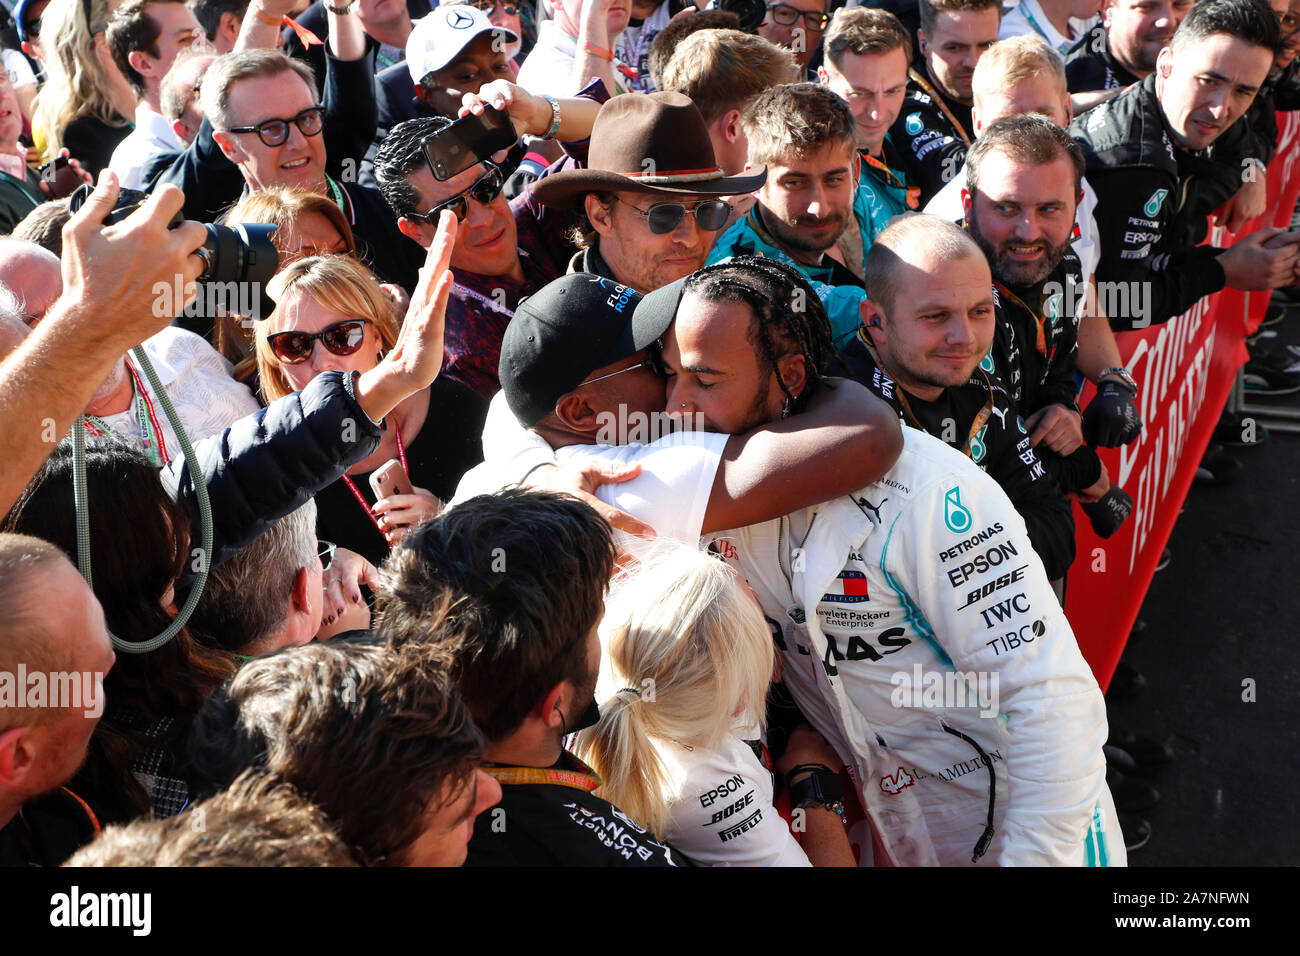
<point>688,482</point>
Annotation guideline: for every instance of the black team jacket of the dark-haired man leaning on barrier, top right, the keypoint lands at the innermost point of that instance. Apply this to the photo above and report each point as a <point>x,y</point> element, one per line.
<point>1149,214</point>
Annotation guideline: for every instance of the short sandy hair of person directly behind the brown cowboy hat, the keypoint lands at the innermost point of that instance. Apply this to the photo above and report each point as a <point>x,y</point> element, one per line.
<point>726,70</point>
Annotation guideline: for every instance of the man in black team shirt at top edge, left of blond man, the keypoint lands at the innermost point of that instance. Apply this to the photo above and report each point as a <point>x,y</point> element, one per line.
<point>934,128</point>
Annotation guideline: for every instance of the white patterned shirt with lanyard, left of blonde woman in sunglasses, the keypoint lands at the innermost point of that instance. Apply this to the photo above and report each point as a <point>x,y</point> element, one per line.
<point>198,382</point>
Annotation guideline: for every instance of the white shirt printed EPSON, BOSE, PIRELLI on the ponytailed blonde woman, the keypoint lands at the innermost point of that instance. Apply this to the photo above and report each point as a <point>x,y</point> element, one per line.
<point>723,815</point>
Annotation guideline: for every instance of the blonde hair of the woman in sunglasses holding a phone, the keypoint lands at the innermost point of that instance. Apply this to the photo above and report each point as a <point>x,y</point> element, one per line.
<point>340,284</point>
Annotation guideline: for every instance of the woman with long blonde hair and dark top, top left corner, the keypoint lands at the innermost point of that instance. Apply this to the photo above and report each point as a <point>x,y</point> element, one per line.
<point>86,101</point>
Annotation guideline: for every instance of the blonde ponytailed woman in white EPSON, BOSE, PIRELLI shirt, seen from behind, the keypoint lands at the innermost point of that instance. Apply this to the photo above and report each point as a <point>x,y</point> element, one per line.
<point>679,746</point>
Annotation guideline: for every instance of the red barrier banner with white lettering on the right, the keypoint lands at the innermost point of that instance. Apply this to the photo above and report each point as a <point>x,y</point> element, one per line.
<point>1186,370</point>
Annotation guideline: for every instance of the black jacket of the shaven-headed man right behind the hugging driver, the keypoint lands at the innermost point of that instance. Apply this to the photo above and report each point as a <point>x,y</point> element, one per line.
<point>1000,447</point>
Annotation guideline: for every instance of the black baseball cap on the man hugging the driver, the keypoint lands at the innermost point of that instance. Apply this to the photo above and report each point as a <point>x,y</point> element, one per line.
<point>569,330</point>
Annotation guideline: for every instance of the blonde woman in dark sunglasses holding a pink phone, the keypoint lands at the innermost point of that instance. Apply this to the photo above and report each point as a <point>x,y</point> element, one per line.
<point>332,314</point>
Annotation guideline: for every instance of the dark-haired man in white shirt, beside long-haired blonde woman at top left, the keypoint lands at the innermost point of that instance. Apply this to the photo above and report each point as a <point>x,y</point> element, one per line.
<point>145,38</point>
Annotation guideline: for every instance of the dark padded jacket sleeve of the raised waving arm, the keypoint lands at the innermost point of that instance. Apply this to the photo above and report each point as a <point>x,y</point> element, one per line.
<point>271,462</point>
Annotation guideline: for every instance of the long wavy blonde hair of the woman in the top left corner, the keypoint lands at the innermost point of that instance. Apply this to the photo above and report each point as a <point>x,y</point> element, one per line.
<point>76,84</point>
